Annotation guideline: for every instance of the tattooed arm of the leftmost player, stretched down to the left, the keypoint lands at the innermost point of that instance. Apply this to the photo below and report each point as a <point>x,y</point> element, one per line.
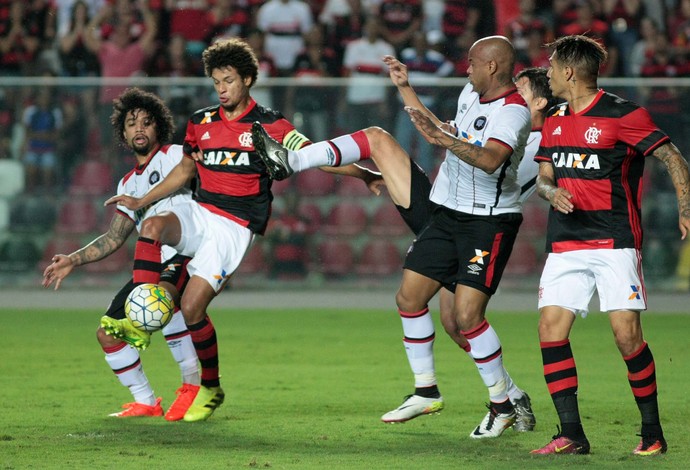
<point>103,246</point>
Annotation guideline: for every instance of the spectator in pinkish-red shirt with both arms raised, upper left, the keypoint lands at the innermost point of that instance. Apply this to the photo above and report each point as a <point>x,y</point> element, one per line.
<point>121,54</point>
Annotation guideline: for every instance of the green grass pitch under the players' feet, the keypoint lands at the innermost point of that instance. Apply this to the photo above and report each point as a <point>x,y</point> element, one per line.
<point>306,389</point>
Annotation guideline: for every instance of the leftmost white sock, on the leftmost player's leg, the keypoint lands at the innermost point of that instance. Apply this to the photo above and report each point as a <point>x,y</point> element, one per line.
<point>125,362</point>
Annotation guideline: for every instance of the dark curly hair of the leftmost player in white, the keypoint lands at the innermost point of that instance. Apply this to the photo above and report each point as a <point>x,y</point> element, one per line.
<point>136,98</point>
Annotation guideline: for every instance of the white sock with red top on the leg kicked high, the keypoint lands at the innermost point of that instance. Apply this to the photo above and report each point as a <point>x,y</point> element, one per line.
<point>340,151</point>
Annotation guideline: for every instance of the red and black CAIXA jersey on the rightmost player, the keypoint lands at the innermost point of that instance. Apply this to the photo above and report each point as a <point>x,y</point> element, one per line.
<point>598,155</point>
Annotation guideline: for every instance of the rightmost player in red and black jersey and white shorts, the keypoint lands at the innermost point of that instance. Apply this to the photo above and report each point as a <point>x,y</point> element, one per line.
<point>591,162</point>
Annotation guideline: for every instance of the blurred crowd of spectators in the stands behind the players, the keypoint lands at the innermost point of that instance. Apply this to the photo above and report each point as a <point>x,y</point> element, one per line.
<point>52,130</point>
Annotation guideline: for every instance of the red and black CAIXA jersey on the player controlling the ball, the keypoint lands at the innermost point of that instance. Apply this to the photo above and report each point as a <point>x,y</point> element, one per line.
<point>233,181</point>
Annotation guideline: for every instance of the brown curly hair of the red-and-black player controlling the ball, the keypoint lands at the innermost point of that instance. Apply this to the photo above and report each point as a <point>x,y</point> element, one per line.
<point>234,53</point>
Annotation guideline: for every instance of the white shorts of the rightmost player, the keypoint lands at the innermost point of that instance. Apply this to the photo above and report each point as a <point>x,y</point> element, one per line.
<point>570,278</point>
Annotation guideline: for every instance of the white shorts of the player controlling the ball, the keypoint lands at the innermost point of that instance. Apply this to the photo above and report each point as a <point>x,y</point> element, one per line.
<point>217,244</point>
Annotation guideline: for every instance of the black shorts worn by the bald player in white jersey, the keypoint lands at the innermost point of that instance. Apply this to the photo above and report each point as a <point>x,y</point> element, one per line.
<point>459,248</point>
